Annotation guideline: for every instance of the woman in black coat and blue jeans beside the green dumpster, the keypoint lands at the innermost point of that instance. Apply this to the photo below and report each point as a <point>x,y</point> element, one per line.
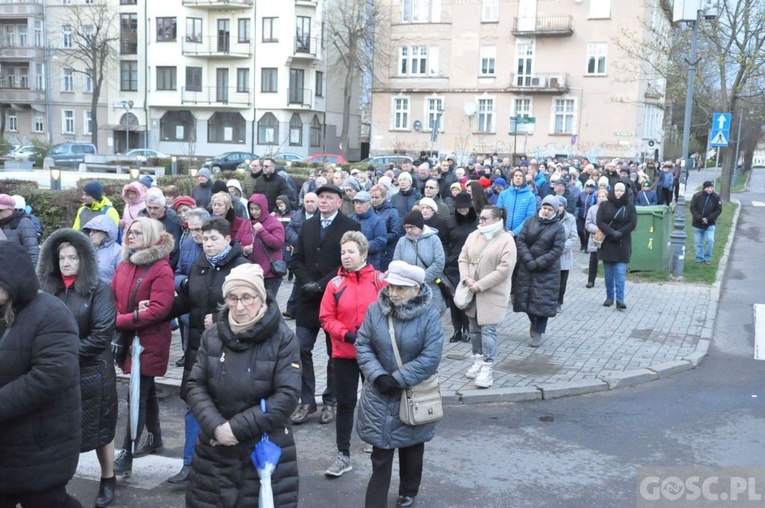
<point>616,218</point>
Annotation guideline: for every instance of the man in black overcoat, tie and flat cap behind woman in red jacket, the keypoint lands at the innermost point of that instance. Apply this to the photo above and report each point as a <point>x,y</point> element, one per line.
<point>315,261</point>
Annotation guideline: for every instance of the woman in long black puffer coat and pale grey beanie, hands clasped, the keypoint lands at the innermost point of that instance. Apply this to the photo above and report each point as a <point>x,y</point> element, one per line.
<point>540,246</point>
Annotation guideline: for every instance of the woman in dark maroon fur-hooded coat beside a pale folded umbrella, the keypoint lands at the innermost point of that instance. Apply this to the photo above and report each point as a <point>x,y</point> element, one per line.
<point>144,275</point>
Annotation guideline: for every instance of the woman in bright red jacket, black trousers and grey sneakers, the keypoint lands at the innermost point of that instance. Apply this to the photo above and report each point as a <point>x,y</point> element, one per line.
<point>343,307</point>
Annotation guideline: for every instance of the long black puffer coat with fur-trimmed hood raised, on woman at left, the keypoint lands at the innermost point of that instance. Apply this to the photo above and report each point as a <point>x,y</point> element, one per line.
<point>92,305</point>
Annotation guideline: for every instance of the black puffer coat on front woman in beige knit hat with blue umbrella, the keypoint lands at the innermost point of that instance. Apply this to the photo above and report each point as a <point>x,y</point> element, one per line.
<point>230,377</point>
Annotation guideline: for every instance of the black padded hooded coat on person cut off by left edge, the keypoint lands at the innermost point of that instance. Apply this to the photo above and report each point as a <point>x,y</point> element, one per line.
<point>39,383</point>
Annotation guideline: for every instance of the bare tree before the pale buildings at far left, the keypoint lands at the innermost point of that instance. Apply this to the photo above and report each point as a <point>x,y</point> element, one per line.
<point>92,51</point>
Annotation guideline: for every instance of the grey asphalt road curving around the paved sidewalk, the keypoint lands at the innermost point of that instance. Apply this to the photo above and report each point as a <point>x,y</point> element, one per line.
<point>576,452</point>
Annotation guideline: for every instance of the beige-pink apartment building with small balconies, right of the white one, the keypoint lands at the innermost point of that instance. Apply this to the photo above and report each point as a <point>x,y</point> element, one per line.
<point>535,77</point>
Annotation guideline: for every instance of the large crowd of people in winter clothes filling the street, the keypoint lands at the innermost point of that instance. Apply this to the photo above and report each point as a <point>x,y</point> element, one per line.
<point>376,255</point>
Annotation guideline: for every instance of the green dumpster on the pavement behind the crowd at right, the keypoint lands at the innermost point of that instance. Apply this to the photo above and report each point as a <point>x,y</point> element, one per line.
<point>651,249</point>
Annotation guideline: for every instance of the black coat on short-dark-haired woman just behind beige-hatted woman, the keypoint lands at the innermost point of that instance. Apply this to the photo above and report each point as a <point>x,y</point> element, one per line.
<point>202,294</point>
